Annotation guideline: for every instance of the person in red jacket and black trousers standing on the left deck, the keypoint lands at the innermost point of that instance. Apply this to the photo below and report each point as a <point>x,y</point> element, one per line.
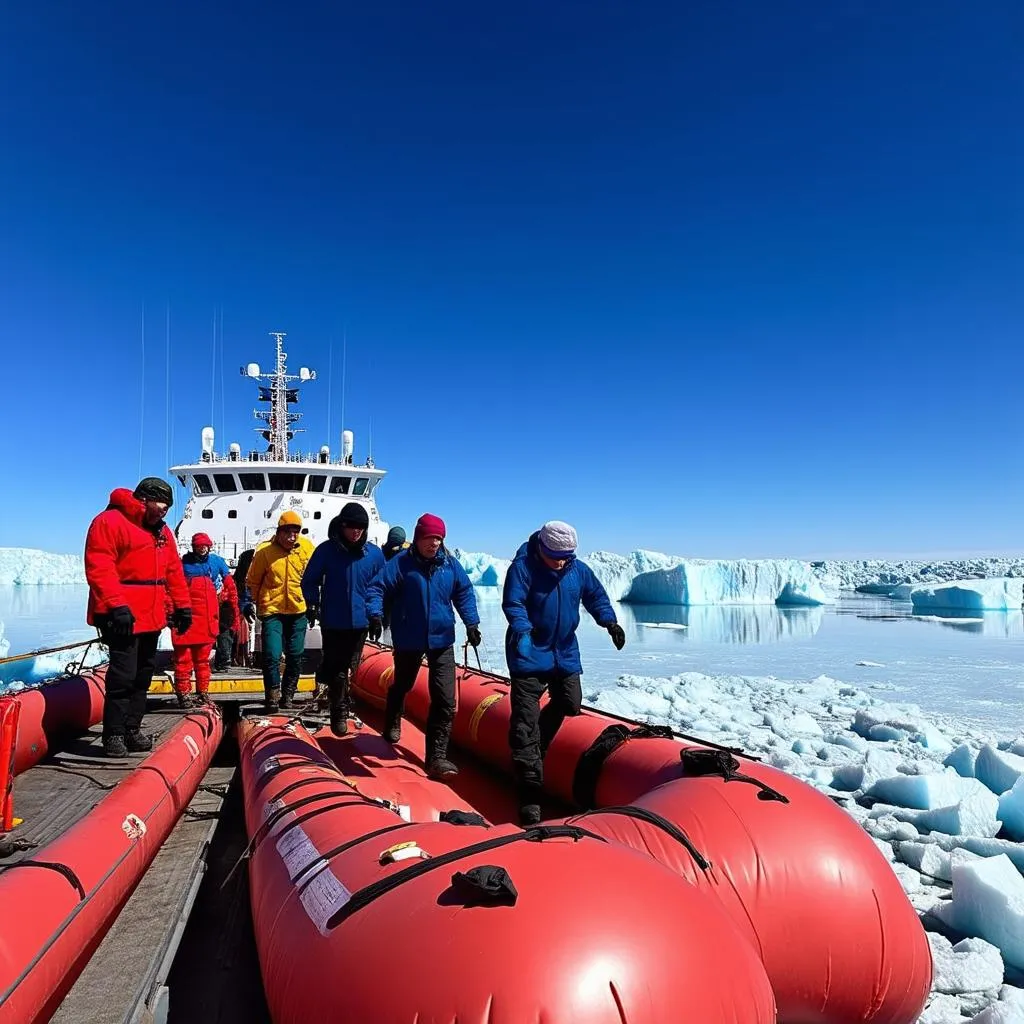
<point>134,569</point>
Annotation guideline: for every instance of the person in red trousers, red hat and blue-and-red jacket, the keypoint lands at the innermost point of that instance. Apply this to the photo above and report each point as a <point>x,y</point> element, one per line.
<point>205,574</point>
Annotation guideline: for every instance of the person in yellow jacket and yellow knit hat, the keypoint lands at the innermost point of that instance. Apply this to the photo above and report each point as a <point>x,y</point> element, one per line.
<point>275,583</point>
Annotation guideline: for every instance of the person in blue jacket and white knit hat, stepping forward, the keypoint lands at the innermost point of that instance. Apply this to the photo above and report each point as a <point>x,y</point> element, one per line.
<point>544,587</point>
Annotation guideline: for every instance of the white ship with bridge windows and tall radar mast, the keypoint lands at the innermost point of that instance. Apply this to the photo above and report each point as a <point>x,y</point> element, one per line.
<point>237,497</point>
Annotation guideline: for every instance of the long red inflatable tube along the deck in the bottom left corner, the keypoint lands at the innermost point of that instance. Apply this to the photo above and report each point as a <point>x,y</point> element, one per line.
<point>59,904</point>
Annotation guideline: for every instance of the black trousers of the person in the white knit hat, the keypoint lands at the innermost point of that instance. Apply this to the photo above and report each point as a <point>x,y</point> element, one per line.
<point>531,731</point>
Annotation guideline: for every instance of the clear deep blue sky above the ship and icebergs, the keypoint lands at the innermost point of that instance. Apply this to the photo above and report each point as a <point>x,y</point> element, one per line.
<point>714,279</point>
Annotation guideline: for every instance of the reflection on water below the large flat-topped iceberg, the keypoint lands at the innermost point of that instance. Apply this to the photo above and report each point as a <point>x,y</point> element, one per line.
<point>730,623</point>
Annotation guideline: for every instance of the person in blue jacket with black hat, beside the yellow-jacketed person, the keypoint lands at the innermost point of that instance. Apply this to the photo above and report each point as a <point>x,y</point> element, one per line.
<point>336,585</point>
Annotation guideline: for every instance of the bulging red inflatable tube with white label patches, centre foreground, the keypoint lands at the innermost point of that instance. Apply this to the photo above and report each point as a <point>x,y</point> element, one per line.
<point>465,921</point>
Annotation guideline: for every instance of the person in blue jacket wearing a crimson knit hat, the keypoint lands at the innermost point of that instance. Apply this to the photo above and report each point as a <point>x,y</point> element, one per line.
<point>426,586</point>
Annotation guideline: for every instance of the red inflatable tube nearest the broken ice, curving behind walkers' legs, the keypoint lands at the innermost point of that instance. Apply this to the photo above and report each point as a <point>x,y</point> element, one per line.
<point>796,875</point>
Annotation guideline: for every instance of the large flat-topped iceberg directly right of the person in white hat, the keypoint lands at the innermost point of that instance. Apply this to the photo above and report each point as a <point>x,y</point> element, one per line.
<point>694,581</point>
